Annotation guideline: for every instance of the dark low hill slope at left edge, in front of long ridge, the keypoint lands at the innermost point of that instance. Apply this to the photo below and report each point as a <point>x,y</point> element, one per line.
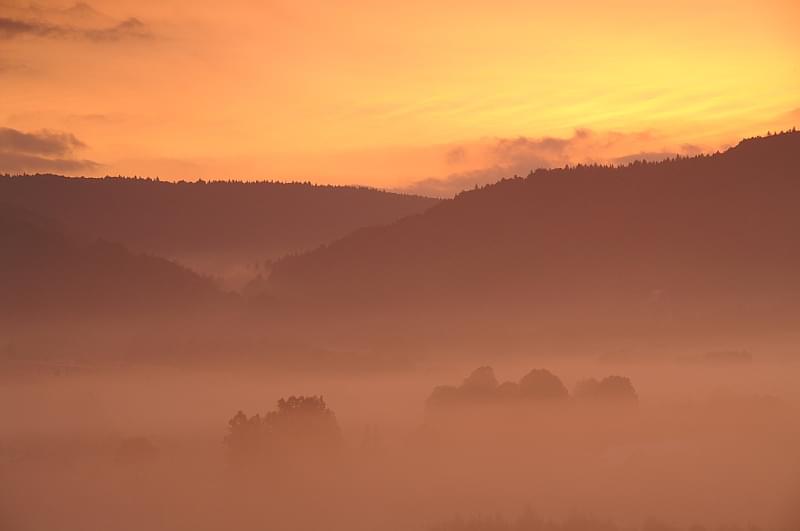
<point>47,277</point>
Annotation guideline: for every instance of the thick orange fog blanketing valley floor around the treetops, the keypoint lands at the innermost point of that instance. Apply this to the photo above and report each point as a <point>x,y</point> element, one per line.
<point>710,440</point>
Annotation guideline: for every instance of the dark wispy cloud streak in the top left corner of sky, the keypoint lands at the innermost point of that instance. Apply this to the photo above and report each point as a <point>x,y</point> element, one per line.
<point>80,21</point>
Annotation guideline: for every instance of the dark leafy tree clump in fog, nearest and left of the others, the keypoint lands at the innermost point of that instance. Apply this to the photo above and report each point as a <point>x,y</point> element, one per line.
<point>301,426</point>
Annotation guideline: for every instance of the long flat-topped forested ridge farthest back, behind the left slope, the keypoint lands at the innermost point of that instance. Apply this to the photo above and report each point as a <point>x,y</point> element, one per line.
<point>228,229</point>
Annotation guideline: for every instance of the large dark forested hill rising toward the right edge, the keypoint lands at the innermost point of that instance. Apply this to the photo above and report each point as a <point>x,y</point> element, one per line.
<point>691,248</point>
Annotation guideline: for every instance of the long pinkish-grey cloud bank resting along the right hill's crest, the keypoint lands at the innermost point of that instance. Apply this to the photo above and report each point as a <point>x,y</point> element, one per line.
<point>506,157</point>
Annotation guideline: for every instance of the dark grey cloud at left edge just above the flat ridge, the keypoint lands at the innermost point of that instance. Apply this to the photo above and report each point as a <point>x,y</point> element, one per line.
<point>43,151</point>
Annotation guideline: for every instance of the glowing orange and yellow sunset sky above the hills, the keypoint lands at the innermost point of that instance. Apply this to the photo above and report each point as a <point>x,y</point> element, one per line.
<point>425,97</point>
